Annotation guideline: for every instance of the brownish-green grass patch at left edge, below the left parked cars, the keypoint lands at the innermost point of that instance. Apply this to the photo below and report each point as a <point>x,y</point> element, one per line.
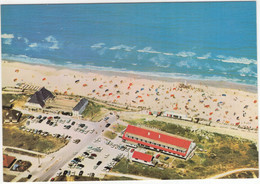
<point>14,137</point>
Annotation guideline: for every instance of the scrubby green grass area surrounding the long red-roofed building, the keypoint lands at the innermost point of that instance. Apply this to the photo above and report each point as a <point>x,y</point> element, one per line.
<point>216,154</point>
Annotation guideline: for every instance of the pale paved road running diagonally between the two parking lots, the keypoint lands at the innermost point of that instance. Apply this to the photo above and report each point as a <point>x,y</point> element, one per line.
<point>64,155</point>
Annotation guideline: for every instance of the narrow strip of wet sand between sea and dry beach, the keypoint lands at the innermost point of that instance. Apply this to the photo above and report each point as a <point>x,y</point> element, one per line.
<point>132,74</point>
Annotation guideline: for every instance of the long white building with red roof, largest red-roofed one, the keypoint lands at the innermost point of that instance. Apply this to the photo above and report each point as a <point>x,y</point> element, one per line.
<point>164,142</point>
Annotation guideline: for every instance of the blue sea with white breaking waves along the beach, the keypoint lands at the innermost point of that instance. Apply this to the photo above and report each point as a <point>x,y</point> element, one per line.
<point>208,41</point>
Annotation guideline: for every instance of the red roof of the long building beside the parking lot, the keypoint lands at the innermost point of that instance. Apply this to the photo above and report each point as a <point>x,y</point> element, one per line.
<point>164,138</point>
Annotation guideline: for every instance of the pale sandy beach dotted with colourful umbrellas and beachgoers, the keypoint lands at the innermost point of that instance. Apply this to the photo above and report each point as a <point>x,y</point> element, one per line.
<point>216,104</point>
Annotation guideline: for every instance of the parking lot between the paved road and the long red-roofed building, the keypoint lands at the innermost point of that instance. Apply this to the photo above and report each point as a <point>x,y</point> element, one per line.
<point>96,158</point>
